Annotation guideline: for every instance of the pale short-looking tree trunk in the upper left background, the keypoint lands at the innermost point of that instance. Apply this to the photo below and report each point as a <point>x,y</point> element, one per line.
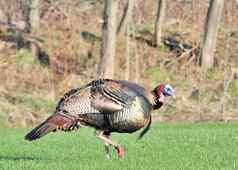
<point>34,15</point>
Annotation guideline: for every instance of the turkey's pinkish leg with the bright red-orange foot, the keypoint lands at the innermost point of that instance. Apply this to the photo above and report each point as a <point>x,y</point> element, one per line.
<point>108,141</point>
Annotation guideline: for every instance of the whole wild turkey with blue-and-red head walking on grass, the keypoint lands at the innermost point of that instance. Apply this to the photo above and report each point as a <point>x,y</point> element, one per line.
<point>108,106</point>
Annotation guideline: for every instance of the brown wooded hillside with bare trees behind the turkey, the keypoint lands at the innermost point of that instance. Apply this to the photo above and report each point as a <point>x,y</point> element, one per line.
<point>50,46</point>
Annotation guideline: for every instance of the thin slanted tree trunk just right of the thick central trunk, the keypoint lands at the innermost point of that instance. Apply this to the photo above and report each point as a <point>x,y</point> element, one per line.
<point>126,18</point>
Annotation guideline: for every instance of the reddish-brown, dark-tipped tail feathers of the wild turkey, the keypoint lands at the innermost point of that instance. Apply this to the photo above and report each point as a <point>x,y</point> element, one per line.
<point>58,121</point>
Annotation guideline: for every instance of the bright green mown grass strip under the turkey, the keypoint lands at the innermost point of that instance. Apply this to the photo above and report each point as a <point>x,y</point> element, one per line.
<point>177,146</point>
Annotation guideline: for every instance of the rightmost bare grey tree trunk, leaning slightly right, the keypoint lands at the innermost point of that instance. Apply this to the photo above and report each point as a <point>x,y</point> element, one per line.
<point>213,18</point>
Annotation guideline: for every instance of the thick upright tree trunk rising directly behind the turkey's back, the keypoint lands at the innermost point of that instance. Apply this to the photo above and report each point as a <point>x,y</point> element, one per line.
<point>108,48</point>
